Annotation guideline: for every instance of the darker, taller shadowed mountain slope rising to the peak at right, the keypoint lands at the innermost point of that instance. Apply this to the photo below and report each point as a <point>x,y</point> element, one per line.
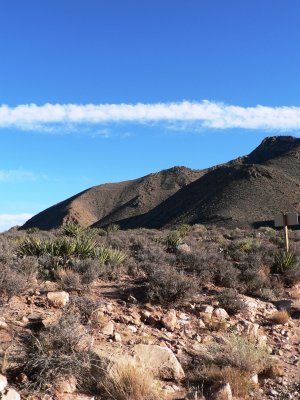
<point>244,192</point>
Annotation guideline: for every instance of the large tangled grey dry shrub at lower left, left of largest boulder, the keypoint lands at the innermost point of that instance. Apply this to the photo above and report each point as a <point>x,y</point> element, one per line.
<point>61,350</point>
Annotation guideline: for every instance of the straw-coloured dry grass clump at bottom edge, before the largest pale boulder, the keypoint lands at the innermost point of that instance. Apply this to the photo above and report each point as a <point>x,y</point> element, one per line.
<point>127,381</point>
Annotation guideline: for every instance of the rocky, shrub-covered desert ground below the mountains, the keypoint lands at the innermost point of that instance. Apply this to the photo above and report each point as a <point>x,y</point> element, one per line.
<point>196,312</point>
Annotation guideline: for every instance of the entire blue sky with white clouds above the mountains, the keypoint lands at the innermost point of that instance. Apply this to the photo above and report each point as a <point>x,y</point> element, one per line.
<point>95,91</point>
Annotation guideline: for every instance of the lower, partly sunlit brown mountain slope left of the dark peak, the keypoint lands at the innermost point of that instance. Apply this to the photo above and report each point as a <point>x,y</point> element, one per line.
<point>114,201</point>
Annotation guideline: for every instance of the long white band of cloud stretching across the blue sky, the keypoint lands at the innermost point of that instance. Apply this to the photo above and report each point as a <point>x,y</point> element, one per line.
<point>205,114</point>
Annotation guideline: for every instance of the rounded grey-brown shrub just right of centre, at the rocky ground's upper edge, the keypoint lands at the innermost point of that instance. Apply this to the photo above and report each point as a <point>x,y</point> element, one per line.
<point>166,285</point>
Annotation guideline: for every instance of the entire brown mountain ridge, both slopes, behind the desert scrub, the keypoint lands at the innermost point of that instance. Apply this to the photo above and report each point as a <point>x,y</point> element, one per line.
<point>244,192</point>
